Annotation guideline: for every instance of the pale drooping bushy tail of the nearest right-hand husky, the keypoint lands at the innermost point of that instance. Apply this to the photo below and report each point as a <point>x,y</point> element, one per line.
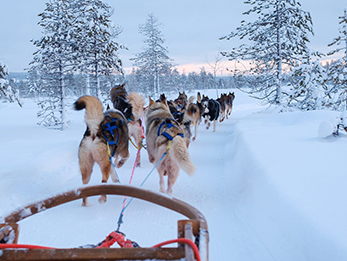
<point>179,152</point>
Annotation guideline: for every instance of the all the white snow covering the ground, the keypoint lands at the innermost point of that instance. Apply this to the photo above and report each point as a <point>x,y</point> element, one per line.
<point>269,186</point>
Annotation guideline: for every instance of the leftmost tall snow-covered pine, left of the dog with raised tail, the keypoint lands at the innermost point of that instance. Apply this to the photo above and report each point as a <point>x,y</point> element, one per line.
<point>53,60</point>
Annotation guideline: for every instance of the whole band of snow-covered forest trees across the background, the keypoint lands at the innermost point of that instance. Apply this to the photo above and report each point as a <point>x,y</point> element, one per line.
<point>78,54</point>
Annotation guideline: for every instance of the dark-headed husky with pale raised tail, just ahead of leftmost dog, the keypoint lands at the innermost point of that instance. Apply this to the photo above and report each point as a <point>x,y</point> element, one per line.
<point>132,107</point>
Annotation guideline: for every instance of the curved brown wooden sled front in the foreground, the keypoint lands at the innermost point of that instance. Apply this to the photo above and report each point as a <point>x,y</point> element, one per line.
<point>194,227</point>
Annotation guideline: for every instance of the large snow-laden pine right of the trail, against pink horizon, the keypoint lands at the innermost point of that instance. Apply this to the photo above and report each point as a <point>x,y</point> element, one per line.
<point>275,41</point>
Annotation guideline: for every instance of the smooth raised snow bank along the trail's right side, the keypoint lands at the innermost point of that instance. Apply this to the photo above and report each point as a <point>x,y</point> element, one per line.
<point>290,191</point>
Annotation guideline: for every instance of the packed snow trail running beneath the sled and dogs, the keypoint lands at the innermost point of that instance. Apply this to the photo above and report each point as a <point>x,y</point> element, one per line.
<point>212,190</point>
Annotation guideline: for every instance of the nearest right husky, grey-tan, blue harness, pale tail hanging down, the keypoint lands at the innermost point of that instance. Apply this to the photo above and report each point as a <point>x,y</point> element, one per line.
<point>164,135</point>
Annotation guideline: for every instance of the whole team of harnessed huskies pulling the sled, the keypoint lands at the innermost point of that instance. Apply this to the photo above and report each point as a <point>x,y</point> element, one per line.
<point>168,128</point>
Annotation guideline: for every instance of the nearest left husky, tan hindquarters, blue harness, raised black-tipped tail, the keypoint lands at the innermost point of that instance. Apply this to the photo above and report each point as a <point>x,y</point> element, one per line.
<point>106,137</point>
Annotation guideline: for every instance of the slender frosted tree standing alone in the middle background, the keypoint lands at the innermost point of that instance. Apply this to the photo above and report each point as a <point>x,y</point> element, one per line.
<point>154,62</point>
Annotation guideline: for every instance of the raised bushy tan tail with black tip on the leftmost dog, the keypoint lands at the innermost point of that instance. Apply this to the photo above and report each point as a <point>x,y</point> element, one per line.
<point>94,111</point>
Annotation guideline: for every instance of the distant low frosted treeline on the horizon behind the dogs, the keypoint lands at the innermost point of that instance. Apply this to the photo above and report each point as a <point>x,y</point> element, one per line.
<point>76,83</point>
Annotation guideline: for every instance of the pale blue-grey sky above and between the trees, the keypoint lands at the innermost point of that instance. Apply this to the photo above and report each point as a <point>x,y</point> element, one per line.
<point>191,29</point>
